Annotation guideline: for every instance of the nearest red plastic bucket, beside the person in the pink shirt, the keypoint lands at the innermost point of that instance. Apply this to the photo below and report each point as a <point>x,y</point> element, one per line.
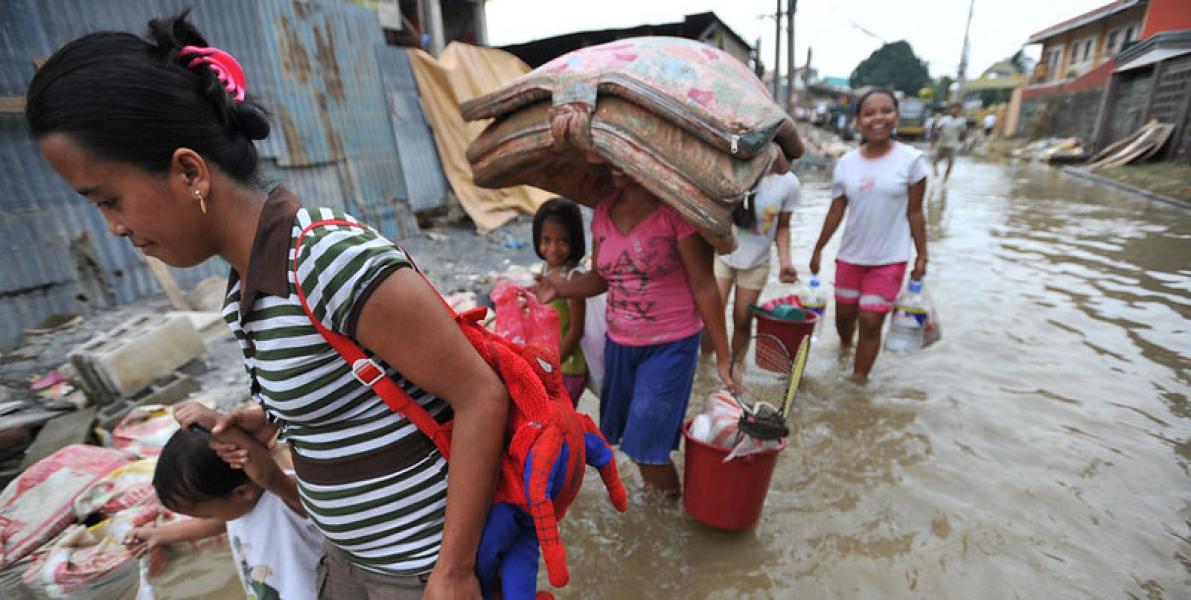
<point>727,496</point>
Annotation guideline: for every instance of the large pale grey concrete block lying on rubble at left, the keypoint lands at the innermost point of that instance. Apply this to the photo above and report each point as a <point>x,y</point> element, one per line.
<point>132,357</point>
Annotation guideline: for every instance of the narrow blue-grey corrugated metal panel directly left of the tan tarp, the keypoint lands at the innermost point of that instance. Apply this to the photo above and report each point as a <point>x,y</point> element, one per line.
<point>425,179</point>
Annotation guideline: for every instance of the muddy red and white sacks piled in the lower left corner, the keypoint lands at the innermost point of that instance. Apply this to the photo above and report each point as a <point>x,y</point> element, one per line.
<point>64,521</point>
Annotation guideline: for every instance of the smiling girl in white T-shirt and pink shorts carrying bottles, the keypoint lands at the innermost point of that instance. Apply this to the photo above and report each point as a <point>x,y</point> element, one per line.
<point>881,187</point>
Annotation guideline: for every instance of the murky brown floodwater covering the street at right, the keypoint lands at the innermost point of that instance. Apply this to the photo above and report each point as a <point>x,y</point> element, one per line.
<point>1040,451</point>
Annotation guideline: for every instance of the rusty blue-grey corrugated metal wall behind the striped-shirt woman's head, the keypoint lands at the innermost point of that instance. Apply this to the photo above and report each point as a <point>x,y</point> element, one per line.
<point>313,62</point>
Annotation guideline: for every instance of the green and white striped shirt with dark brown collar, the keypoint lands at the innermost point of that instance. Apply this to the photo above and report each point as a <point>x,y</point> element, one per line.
<point>391,523</point>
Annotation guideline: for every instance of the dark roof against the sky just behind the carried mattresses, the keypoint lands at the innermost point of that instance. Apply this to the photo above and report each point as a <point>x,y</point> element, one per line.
<point>541,52</point>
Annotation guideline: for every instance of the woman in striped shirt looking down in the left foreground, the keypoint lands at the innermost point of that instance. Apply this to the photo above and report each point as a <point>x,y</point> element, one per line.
<point>159,135</point>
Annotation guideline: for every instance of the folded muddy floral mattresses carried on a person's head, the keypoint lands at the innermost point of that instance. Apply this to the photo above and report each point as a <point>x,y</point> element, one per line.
<point>689,122</point>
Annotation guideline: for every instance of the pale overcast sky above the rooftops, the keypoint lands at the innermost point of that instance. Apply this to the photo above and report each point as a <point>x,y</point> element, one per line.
<point>843,33</point>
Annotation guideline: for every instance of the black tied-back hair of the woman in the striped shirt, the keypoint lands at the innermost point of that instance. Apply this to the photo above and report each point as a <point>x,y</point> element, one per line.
<point>130,99</point>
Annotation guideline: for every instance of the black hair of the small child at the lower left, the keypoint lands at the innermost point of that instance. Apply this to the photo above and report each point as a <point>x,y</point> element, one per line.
<point>190,472</point>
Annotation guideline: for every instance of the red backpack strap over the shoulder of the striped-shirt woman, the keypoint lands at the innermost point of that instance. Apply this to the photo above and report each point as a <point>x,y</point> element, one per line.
<point>365,370</point>
